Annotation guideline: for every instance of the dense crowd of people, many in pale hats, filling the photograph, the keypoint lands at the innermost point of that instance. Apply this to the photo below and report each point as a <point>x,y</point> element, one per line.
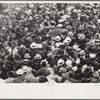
<point>29,53</point>
